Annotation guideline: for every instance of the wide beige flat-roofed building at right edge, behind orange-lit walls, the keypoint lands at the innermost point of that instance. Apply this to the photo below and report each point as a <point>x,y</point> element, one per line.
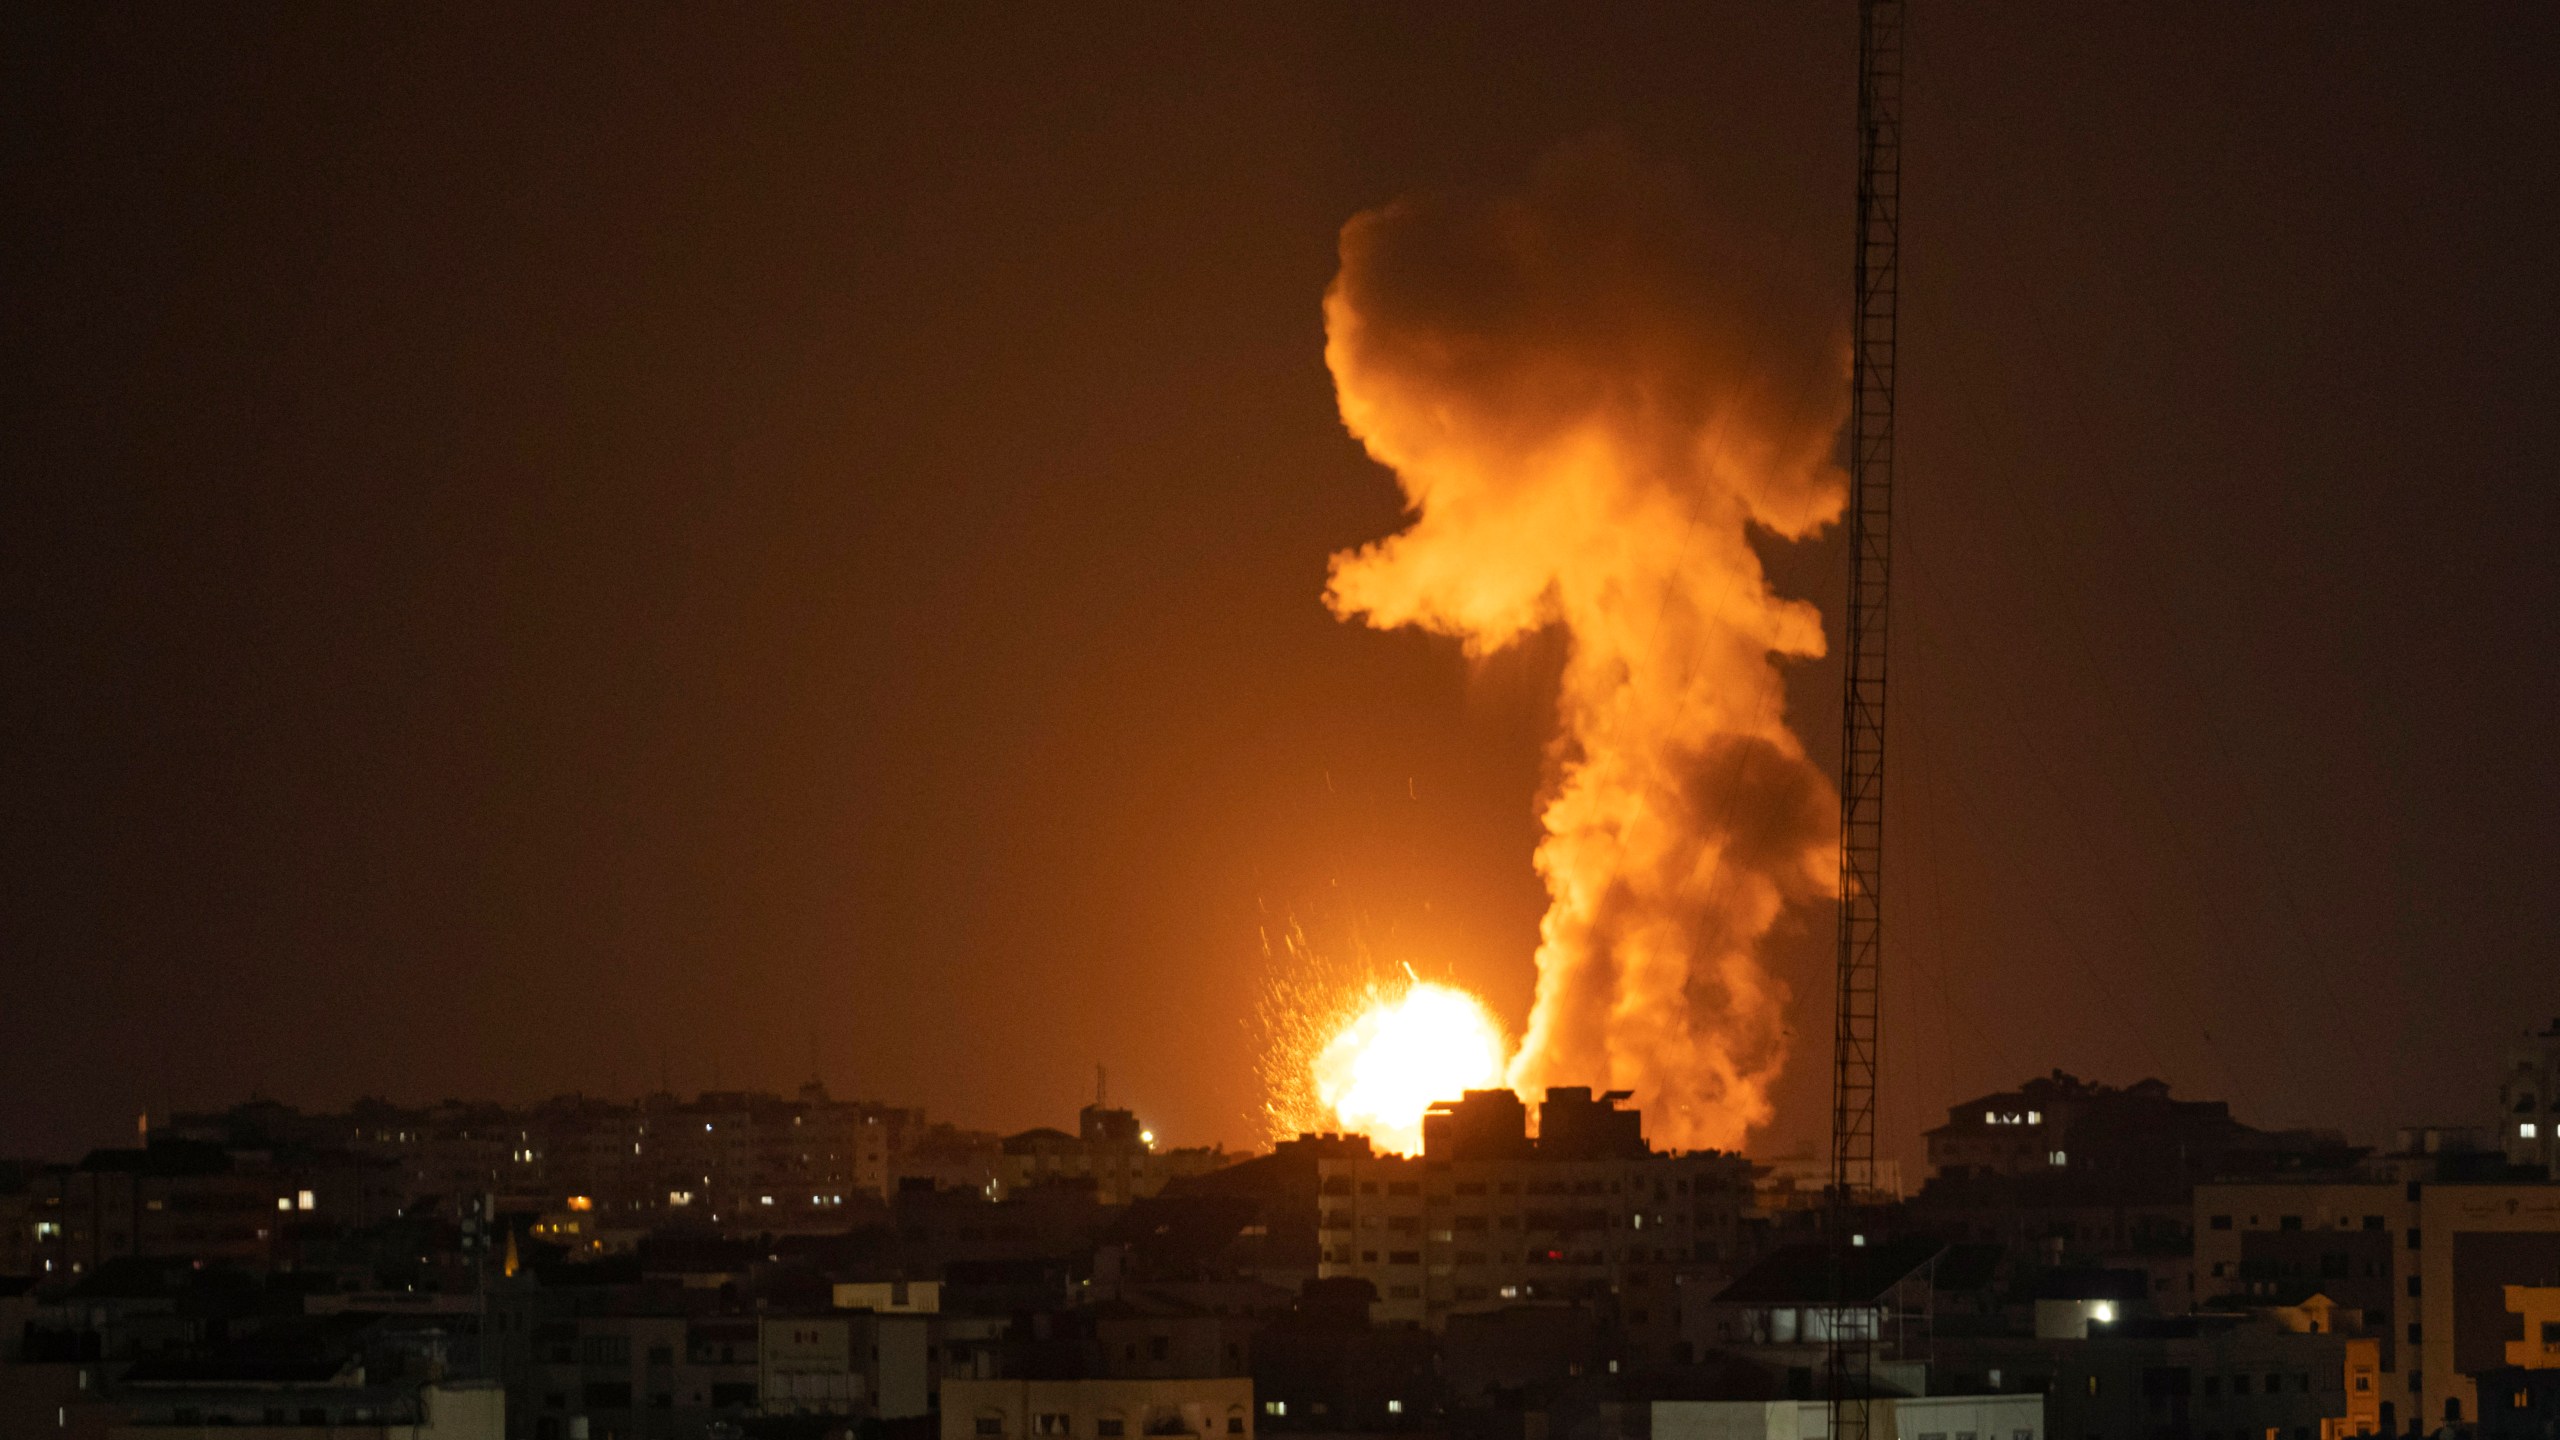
<point>2444,1270</point>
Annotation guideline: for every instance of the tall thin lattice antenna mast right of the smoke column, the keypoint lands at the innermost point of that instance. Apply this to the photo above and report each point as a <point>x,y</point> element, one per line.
<point>1862,701</point>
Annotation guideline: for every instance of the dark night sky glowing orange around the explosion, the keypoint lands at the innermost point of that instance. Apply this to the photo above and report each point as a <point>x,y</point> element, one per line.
<point>552,550</point>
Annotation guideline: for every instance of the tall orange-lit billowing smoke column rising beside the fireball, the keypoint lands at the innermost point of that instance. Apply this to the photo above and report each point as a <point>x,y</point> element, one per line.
<point>1591,393</point>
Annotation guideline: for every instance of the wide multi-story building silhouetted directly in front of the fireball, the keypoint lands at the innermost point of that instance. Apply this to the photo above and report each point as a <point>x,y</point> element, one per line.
<point>1491,1216</point>
